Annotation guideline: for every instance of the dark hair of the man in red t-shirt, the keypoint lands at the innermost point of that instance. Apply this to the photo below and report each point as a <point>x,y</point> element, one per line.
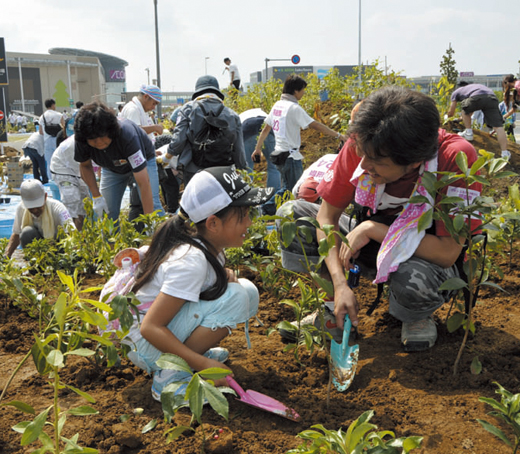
<point>399,124</point>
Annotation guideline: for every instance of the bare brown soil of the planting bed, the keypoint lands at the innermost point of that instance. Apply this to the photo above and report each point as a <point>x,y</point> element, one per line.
<point>411,394</point>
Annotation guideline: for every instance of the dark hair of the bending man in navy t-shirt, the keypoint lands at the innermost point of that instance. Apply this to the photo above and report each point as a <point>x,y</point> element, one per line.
<point>95,120</point>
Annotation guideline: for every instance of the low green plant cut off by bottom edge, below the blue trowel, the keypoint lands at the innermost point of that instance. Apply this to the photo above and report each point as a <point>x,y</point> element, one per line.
<point>360,437</point>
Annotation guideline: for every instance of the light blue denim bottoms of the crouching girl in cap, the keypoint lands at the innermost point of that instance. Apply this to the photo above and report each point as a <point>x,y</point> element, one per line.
<point>237,305</point>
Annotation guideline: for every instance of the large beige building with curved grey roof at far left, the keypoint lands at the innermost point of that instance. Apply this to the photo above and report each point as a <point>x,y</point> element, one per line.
<point>66,75</point>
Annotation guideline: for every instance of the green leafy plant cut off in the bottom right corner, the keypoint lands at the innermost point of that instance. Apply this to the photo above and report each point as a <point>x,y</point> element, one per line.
<point>508,410</point>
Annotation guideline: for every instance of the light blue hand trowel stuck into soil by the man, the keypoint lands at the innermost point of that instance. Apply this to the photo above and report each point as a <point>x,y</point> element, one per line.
<point>344,359</point>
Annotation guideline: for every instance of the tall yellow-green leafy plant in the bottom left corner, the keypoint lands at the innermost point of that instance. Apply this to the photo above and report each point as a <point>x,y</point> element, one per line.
<point>68,326</point>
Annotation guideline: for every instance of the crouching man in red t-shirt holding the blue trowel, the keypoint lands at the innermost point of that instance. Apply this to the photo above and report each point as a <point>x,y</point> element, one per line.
<point>394,136</point>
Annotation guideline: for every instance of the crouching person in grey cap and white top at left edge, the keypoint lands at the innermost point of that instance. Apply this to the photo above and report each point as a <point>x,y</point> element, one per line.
<point>37,216</point>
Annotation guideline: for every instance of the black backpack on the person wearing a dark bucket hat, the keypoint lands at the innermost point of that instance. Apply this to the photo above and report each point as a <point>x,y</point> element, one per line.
<point>212,144</point>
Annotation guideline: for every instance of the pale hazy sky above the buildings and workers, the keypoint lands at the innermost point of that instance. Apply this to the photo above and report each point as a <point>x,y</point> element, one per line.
<point>194,36</point>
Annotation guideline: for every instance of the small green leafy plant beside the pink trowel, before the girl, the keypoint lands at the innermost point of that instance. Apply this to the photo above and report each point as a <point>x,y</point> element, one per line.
<point>197,393</point>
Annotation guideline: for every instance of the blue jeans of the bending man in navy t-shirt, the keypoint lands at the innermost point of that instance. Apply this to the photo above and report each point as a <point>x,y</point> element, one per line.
<point>113,186</point>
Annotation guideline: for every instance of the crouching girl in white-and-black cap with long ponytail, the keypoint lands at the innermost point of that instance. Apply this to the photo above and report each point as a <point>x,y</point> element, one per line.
<point>190,302</point>
